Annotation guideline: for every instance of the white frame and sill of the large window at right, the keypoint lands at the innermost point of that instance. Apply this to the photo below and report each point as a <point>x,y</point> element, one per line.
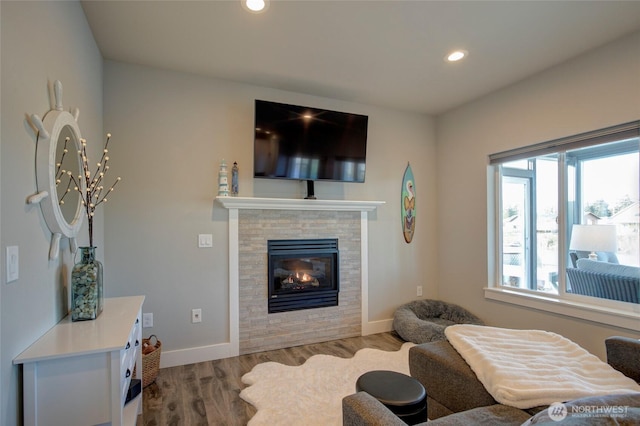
<point>609,312</point>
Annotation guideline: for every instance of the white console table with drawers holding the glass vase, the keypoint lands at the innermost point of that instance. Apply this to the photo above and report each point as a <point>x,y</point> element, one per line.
<point>78,373</point>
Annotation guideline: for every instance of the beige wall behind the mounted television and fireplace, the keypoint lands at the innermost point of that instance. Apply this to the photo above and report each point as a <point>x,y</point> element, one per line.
<point>170,131</point>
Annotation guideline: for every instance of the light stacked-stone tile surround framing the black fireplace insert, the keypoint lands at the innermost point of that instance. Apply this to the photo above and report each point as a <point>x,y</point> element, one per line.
<point>261,331</point>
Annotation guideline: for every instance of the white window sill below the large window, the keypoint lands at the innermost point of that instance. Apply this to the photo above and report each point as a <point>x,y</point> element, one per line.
<point>624,317</point>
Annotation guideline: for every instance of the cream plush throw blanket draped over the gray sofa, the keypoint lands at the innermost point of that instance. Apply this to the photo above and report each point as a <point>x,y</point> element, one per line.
<point>527,368</point>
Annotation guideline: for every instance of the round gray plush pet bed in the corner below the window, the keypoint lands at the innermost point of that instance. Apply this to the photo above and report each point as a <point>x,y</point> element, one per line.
<point>423,321</point>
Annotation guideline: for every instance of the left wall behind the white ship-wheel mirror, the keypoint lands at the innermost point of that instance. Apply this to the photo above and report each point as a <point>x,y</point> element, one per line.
<point>41,42</point>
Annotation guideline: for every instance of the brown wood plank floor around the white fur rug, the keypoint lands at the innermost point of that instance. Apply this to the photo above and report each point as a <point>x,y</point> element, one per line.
<point>207,393</point>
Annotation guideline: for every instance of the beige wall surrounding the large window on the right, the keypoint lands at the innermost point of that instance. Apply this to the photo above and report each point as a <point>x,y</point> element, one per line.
<point>596,90</point>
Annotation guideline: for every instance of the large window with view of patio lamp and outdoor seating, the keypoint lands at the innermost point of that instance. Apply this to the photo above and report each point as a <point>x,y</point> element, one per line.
<point>540,192</point>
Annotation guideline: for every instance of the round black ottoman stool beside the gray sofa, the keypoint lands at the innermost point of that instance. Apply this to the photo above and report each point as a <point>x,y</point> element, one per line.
<point>402,394</point>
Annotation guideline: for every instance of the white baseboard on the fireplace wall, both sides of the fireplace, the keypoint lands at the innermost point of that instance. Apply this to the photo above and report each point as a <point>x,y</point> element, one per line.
<point>226,350</point>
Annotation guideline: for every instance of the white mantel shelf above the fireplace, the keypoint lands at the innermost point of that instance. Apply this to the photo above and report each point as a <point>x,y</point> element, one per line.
<point>253,203</point>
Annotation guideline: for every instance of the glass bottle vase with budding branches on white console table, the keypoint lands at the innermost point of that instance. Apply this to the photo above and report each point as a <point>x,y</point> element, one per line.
<point>87,289</point>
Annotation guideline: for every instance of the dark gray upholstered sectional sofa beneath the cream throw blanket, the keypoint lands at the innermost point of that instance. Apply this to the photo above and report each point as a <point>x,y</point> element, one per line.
<point>456,397</point>
